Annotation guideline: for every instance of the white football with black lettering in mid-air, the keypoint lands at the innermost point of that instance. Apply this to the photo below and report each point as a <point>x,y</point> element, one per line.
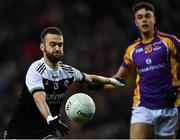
<point>80,108</point>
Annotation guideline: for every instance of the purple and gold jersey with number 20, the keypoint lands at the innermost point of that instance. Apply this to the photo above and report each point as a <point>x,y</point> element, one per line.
<point>156,66</point>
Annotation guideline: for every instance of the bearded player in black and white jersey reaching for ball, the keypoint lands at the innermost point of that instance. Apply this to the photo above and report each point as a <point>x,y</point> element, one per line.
<point>37,112</point>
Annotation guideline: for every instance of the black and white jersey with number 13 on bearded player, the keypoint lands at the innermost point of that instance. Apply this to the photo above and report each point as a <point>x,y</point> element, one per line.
<point>54,82</point>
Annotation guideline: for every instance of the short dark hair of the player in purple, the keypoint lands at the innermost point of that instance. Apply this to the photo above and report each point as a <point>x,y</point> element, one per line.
<point>142,5</point>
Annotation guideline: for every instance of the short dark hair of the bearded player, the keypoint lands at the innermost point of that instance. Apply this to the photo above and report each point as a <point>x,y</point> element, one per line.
<point>51,30</point>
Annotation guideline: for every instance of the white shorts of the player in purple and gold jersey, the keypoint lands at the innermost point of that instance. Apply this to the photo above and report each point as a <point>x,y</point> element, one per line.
<point>165,121</point>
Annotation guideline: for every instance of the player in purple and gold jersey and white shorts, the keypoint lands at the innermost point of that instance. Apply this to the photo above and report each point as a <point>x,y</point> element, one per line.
<point>155,57</point>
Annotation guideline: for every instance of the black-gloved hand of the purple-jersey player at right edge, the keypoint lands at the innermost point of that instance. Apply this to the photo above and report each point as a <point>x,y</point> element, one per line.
<point>172,94</point>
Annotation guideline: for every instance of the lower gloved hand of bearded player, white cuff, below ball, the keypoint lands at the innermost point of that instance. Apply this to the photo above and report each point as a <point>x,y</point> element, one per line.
<point>55,123</point>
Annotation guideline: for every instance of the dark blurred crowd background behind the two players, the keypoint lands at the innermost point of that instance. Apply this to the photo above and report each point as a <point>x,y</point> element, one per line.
<point>96,35</point>
